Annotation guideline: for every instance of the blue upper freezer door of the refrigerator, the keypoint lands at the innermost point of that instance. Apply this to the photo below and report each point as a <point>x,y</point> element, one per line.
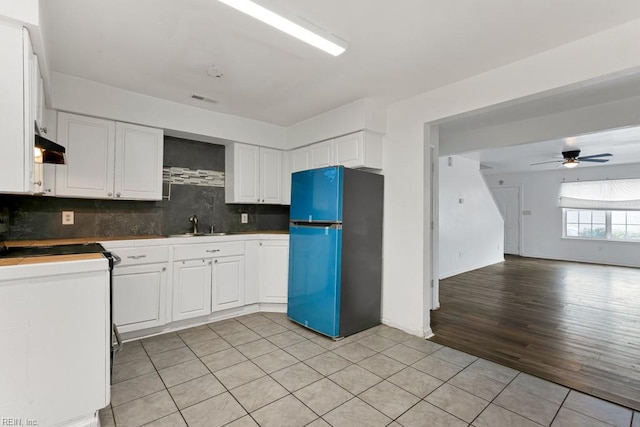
<point>316,195</point>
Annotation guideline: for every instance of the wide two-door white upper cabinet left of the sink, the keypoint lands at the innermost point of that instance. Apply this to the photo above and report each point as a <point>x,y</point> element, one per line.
<point>106,160</point>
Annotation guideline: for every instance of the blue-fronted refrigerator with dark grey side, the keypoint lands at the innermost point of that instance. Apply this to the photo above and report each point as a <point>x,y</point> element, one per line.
<point>335,255</point>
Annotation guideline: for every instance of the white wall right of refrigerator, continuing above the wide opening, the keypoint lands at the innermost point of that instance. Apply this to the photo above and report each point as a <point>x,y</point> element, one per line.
<point>406,296</point>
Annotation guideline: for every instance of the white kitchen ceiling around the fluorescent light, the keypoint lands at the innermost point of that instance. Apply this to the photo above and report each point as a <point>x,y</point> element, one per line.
<point>396,49</point>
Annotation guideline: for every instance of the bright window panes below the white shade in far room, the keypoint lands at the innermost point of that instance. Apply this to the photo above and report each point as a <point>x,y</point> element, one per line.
<point>598,224</point>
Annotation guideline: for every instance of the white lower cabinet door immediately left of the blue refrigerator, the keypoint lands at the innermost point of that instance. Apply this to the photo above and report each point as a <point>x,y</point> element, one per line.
<point>274,271</point>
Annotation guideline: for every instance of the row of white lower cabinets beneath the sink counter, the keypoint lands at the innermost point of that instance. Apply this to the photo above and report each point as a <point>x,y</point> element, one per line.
<point>156,285</point>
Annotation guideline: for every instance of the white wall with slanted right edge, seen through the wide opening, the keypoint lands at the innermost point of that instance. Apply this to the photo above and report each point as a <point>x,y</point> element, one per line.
<point>471,227</point>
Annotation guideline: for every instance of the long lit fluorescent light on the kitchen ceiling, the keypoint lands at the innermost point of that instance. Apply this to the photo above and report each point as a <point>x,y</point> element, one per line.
<point>327,42</point>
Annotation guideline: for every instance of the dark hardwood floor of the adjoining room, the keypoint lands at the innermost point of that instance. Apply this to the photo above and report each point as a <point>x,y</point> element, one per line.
<point>571,323</point>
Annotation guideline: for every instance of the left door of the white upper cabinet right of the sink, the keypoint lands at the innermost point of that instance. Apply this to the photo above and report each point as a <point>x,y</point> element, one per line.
<point>247,174</point>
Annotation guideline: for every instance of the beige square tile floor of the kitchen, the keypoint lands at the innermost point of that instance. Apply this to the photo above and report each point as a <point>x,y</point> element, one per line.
<point>262,369</point>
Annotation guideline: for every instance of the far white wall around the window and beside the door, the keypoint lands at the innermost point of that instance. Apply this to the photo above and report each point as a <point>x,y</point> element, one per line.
<point>542,230</point>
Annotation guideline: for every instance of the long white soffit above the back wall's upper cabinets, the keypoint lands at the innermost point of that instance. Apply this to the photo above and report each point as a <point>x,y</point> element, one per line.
<point>82,96</point>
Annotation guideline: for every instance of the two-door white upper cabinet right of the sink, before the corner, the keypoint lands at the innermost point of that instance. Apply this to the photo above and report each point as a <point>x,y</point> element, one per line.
<point>253,174</point>
